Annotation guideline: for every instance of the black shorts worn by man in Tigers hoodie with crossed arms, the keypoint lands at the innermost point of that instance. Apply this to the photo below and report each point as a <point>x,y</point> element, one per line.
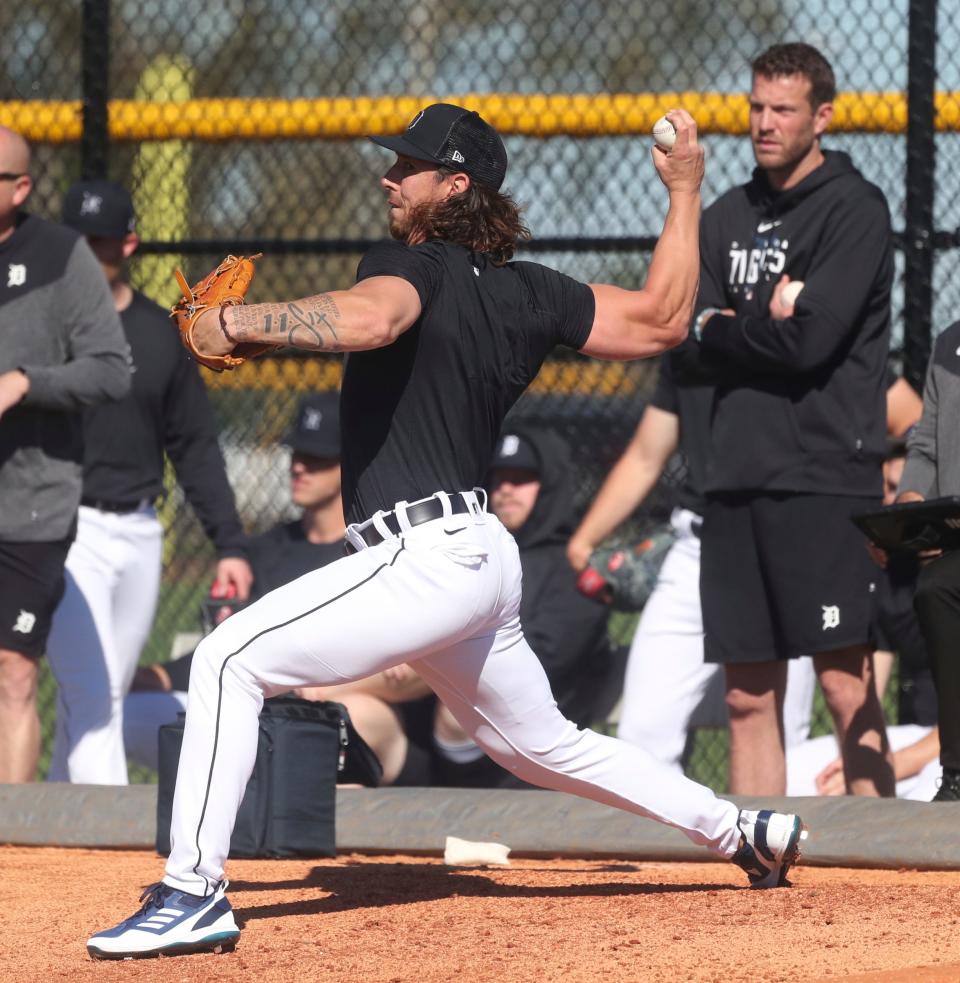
<point>783,576</point>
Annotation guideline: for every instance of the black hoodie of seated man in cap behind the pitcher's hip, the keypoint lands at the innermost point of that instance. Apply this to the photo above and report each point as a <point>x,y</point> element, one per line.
<point>566,630</point>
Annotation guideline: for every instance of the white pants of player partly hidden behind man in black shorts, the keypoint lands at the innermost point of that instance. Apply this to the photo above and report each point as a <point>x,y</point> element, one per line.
<point>668,687</point>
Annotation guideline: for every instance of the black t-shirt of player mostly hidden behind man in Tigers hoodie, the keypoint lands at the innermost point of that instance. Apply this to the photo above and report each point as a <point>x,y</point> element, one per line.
<point>690,399</point>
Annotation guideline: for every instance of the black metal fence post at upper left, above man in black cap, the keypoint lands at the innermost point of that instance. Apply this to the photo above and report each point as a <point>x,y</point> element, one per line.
<point>95,58</point>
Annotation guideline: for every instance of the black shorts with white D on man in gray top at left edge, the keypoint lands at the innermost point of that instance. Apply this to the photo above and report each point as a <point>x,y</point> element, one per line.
<point>31,585</point>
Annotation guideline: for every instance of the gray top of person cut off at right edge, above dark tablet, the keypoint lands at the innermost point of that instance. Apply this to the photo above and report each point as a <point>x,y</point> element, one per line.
<point>933,448</point>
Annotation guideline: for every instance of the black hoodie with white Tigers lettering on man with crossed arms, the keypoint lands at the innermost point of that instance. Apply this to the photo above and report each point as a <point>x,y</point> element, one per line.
<point>800,403</point>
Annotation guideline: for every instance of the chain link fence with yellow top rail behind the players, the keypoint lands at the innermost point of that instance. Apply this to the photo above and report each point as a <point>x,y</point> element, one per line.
<point>240,127</point>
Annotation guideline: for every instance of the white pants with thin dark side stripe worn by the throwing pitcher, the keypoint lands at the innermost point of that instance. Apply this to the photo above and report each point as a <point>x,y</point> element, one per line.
<point>444,596</point>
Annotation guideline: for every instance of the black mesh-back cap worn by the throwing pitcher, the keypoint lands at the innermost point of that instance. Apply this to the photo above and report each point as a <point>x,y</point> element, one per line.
<point>454,137</point>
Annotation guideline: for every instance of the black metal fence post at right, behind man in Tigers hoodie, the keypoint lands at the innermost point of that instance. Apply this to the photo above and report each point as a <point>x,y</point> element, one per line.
<point>918,233</point>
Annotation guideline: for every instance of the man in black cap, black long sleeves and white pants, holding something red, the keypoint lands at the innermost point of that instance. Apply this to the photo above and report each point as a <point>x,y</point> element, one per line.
<point>114,566</point>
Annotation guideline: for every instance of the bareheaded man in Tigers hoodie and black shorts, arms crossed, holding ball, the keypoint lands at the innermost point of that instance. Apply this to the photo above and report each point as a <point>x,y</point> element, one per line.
<point>798,425</point>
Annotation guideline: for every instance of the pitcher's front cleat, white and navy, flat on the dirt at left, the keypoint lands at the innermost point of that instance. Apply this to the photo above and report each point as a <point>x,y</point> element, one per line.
<point>170,923</point>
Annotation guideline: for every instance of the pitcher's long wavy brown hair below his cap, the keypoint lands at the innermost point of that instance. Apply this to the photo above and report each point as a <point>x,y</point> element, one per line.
<point>480,218</point>
